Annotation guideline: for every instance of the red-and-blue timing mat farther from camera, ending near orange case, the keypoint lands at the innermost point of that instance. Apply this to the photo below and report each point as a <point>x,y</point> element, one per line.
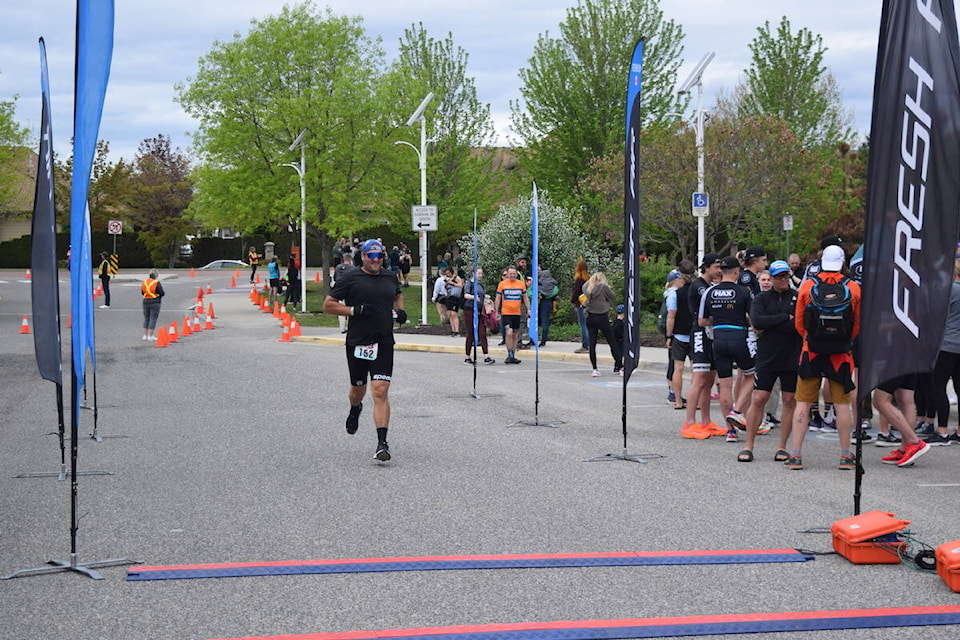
<point>449,563</point>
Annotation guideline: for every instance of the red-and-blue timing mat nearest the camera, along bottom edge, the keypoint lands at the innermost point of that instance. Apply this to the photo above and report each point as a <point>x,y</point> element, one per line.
<point>661,627</point>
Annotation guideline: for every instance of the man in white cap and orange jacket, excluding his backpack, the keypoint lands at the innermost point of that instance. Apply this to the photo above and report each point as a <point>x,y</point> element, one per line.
<point>835,368</point>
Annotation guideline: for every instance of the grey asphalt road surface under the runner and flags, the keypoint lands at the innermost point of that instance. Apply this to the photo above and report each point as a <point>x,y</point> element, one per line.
<point>233,449</point>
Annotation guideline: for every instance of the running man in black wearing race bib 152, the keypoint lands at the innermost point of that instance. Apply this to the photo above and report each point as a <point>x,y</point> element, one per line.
<point>371,297</point>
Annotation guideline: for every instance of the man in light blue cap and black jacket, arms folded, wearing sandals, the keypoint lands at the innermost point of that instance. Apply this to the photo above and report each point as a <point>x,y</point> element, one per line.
<point>778,355</point>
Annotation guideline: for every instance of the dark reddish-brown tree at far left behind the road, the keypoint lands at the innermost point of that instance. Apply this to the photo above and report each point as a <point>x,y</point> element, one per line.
<point>160,192</point>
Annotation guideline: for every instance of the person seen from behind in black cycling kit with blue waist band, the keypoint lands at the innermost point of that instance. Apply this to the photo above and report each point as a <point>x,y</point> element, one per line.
<point>726,308</point>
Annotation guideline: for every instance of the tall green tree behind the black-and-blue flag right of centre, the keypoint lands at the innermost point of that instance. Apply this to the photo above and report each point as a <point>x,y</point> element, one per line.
<point>573,91</point>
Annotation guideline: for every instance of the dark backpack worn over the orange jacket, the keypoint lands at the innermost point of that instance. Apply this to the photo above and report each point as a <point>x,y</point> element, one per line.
<point>828,317</point>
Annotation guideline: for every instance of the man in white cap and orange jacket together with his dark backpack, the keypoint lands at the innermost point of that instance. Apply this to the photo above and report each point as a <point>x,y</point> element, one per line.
<point>828,318</point>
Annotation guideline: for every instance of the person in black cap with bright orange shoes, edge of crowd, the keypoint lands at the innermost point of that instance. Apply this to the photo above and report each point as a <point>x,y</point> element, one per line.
<point>701,349</point>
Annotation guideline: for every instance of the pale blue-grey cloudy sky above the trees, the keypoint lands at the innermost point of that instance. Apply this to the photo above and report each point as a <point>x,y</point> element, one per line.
<point>157,44</point>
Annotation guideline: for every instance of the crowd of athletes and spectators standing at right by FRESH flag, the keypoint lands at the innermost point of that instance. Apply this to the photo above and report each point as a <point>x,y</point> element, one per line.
<point>770,333</point>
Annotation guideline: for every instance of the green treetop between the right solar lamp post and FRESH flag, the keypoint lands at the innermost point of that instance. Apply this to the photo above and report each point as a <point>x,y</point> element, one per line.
<point>787,79</point>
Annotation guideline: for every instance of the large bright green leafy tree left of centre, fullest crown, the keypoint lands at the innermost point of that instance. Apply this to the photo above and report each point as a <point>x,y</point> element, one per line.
<point>299,70</point>
